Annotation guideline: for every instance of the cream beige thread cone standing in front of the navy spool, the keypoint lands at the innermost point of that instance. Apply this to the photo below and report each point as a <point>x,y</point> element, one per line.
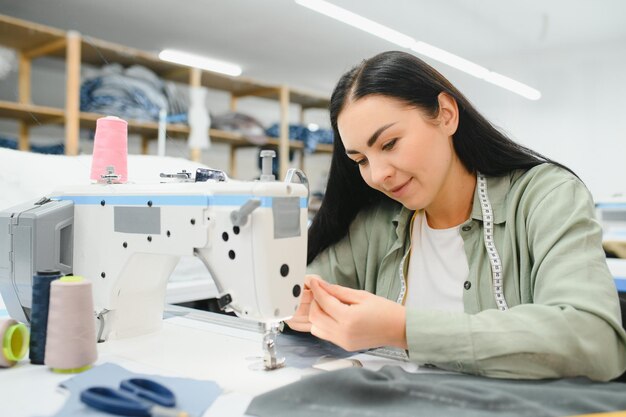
<point>71,341</point>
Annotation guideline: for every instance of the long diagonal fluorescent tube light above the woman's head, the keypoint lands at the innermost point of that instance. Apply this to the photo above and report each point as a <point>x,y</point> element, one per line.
<point>422,48</point>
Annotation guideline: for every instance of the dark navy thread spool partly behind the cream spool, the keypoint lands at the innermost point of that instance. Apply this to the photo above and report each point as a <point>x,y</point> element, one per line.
<point>39,314</point>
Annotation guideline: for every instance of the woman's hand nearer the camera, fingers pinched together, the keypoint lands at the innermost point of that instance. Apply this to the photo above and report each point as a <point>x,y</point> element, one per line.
<point>355,319</point>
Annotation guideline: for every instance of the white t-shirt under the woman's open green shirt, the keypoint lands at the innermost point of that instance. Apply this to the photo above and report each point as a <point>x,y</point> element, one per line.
<point>437,268</point>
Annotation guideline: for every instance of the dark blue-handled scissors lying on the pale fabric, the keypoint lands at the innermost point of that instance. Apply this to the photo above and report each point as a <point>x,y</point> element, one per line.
<point>136,397</point>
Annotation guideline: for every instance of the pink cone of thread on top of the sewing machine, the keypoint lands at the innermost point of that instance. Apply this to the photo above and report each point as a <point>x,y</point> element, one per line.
<point>110,148</point>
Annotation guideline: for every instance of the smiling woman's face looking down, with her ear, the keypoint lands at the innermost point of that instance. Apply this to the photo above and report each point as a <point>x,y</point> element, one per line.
<point>400,151</point>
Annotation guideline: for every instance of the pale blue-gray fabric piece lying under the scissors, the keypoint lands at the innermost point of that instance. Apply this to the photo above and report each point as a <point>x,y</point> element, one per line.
<point>192,395</point>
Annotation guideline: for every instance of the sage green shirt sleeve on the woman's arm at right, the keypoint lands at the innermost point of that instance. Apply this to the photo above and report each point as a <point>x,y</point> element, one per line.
<point>572,327</point>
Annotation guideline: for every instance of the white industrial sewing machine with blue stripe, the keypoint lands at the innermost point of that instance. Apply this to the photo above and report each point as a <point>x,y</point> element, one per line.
<point>127,239</point>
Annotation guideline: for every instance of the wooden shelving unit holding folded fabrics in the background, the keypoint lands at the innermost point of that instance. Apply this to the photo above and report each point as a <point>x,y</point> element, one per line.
<point>32,40</point>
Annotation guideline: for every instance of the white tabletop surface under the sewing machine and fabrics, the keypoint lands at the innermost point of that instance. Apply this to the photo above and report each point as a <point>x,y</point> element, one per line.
<point>200,345</point>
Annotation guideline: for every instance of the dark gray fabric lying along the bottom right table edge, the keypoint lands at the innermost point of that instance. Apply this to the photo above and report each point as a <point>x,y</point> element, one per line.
<point>392,392</point>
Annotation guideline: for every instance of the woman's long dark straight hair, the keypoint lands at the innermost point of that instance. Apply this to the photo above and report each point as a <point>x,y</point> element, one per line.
<point>478,144</point>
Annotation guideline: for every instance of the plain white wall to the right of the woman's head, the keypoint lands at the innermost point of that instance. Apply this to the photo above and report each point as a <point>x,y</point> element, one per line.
<point>579,120</point>
